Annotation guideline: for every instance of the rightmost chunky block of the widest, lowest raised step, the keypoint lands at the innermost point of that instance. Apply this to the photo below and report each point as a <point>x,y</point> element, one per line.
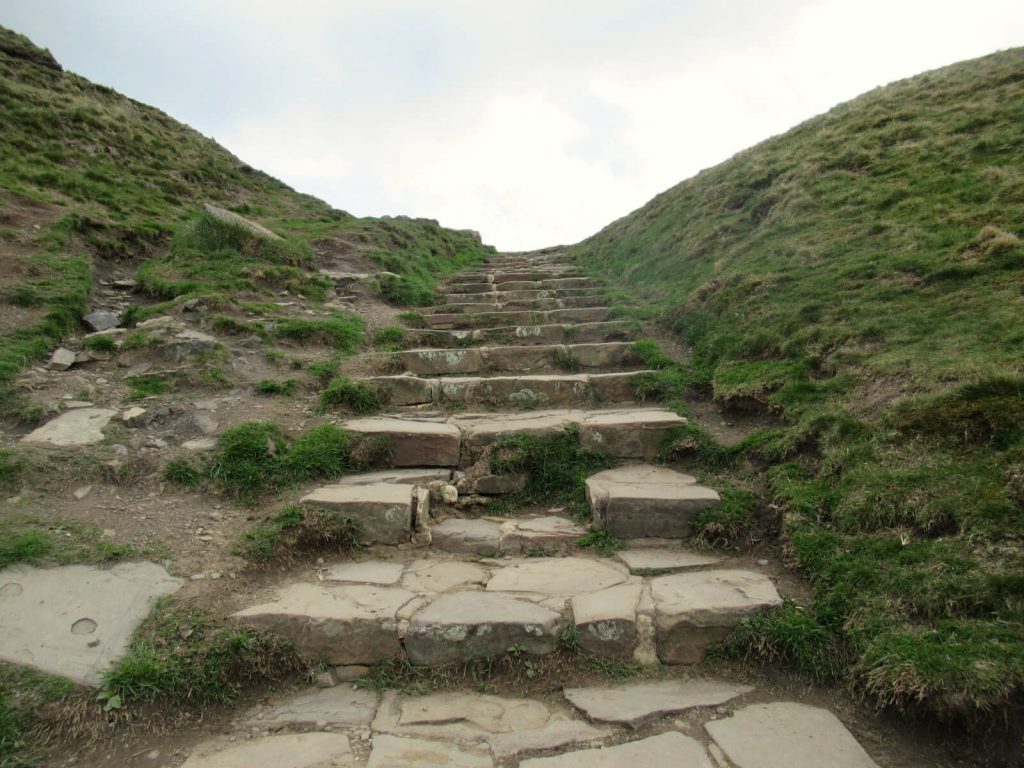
<point>695,610</point>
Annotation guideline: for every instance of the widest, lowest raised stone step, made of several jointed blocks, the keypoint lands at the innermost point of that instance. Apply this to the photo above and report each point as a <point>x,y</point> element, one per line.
<point>440,612</point>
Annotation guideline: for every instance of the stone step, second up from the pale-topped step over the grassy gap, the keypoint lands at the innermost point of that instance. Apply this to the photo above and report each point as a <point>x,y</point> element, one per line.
<point>526,360</point>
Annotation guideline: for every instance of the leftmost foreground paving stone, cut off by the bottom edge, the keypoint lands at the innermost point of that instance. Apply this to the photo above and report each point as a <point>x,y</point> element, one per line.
<point>291,751</point>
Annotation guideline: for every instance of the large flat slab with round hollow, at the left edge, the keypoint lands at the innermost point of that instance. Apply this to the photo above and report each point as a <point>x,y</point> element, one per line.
<point>77,620</point>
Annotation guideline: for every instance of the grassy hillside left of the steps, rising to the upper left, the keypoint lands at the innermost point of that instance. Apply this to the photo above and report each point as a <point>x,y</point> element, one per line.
<point>107,179</point>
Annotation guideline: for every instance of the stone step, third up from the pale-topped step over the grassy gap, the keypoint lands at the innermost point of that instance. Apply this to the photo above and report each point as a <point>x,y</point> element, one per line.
<point>560,333</point>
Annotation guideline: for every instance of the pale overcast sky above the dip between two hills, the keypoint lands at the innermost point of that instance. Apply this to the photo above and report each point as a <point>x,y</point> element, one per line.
<point>535,122</point>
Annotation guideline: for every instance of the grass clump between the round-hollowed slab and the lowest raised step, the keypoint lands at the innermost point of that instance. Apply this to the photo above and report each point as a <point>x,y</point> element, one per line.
<point>184,655</point>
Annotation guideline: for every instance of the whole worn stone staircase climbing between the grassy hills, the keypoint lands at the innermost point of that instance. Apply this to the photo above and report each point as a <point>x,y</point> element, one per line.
<point>441,582</point>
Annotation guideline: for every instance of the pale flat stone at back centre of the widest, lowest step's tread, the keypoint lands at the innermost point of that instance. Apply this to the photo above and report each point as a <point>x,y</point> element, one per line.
<point>557,577</point>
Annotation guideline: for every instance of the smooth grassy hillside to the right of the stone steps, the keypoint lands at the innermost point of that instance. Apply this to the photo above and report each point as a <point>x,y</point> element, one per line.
<point>862,278</point>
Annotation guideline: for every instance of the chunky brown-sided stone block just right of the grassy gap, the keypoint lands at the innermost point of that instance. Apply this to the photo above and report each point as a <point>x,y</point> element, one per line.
<point>641,501</point>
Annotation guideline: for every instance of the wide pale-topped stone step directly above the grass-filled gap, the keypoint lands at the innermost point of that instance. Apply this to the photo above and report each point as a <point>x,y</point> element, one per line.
<point>440,442</point>
